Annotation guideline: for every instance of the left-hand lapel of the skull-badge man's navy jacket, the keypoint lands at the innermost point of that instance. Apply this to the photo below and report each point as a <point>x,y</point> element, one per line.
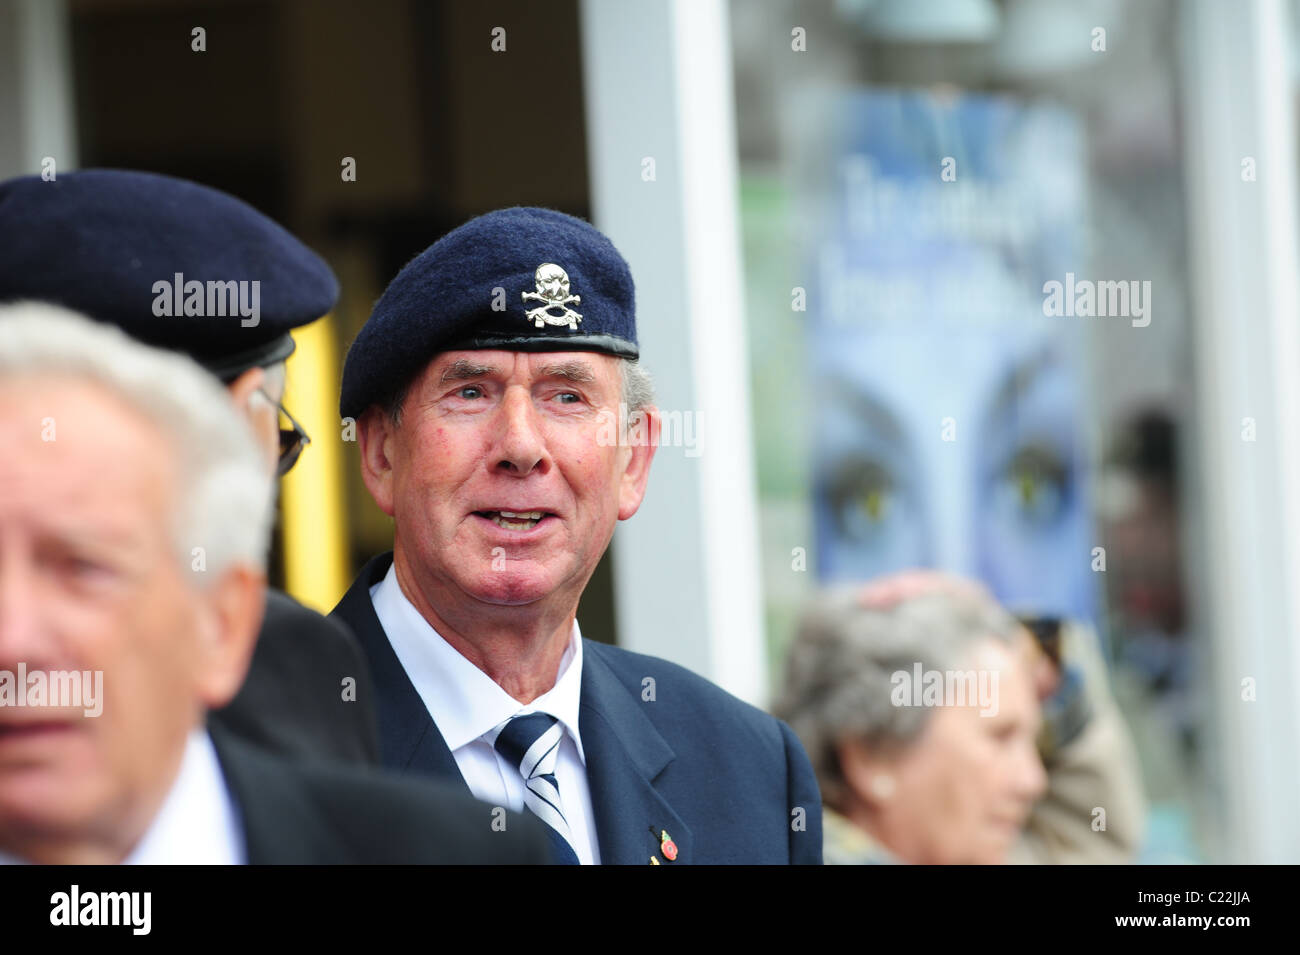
<point>409,739</point>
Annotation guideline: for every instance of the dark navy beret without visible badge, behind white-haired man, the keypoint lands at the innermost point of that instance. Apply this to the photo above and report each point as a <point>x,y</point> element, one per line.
<point>170,262</point>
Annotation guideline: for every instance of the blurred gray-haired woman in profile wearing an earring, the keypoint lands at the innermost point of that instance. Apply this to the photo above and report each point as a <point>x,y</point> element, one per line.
<point>920,713</point>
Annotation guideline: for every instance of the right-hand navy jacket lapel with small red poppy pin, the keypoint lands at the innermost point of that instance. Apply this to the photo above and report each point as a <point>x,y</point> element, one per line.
<point>625,756</point>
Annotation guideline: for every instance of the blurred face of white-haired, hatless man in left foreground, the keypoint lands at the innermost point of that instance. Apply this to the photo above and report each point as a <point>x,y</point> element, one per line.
<point>90,580</point>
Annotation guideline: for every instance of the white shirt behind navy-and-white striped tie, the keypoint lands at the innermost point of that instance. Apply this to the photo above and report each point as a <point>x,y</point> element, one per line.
<point>470,710</point>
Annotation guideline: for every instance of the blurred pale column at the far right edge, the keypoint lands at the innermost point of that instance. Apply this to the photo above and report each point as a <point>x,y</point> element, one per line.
<point>1243,266</point>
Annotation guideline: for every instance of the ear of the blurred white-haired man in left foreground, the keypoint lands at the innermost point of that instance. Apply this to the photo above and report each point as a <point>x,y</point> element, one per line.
<point>231,619</point>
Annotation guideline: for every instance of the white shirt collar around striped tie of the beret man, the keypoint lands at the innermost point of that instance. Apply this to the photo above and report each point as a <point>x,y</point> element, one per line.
<point>463,701</point>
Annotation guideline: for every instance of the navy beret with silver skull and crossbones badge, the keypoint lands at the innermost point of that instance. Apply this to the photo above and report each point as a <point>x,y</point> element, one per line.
<point>517,280</point>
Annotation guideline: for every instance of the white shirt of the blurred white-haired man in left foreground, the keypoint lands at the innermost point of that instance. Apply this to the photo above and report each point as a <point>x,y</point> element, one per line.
<point>198,823</point>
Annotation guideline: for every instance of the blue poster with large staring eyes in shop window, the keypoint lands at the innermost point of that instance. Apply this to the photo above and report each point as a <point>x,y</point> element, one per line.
<point>948,410</point>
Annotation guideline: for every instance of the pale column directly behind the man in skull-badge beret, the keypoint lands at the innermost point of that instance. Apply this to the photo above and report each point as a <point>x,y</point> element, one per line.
<point>658,89</point>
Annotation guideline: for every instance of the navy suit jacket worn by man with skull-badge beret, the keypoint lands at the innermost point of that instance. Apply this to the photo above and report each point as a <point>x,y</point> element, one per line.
<point>729,783</point>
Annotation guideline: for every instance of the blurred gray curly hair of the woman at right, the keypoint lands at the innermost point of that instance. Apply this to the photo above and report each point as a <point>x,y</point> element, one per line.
<point>839,671</point>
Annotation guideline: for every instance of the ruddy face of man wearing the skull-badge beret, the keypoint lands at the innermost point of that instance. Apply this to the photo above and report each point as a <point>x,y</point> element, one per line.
<point>505,476</point>
